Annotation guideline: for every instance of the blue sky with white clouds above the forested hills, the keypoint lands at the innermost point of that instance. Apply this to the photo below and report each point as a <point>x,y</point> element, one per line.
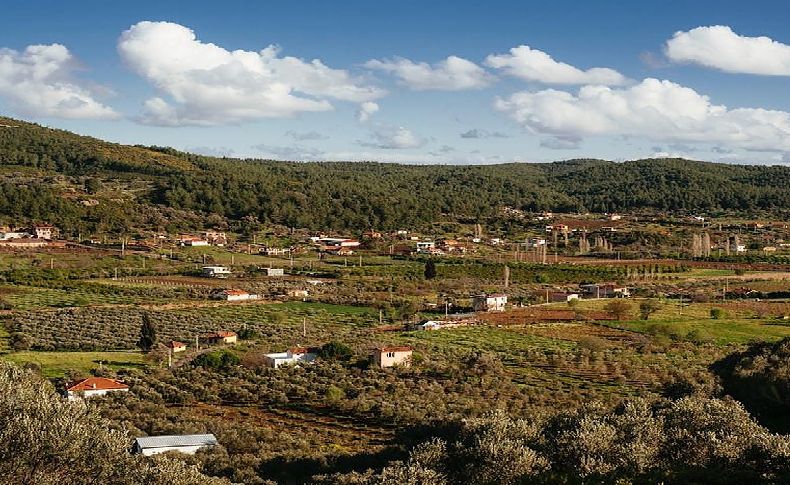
<point>451,82</point>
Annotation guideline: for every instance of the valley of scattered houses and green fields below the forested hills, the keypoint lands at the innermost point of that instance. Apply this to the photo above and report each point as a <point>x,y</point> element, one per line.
<point>575,300</point>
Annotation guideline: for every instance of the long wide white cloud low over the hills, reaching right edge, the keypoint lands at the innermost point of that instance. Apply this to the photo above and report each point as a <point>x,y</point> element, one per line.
<point>653,109</point>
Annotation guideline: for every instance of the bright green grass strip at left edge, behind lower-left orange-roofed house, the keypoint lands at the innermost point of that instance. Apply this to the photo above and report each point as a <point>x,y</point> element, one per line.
<point>57,364</point>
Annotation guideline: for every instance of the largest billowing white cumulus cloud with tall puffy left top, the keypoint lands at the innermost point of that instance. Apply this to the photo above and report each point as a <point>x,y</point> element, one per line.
<point>208,84</point>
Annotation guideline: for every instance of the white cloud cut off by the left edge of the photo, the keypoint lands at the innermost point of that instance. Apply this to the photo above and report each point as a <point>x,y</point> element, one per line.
<point>38,82</point>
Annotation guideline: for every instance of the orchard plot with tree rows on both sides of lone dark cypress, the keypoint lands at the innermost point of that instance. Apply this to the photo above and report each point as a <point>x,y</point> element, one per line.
<point>118,328</point>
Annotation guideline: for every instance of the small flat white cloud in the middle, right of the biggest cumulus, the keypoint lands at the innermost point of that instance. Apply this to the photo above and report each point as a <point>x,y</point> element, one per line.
<point>451,74</point>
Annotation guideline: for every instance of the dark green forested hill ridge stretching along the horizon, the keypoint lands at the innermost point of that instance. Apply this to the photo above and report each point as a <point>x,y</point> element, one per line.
<point>361,195</point>
